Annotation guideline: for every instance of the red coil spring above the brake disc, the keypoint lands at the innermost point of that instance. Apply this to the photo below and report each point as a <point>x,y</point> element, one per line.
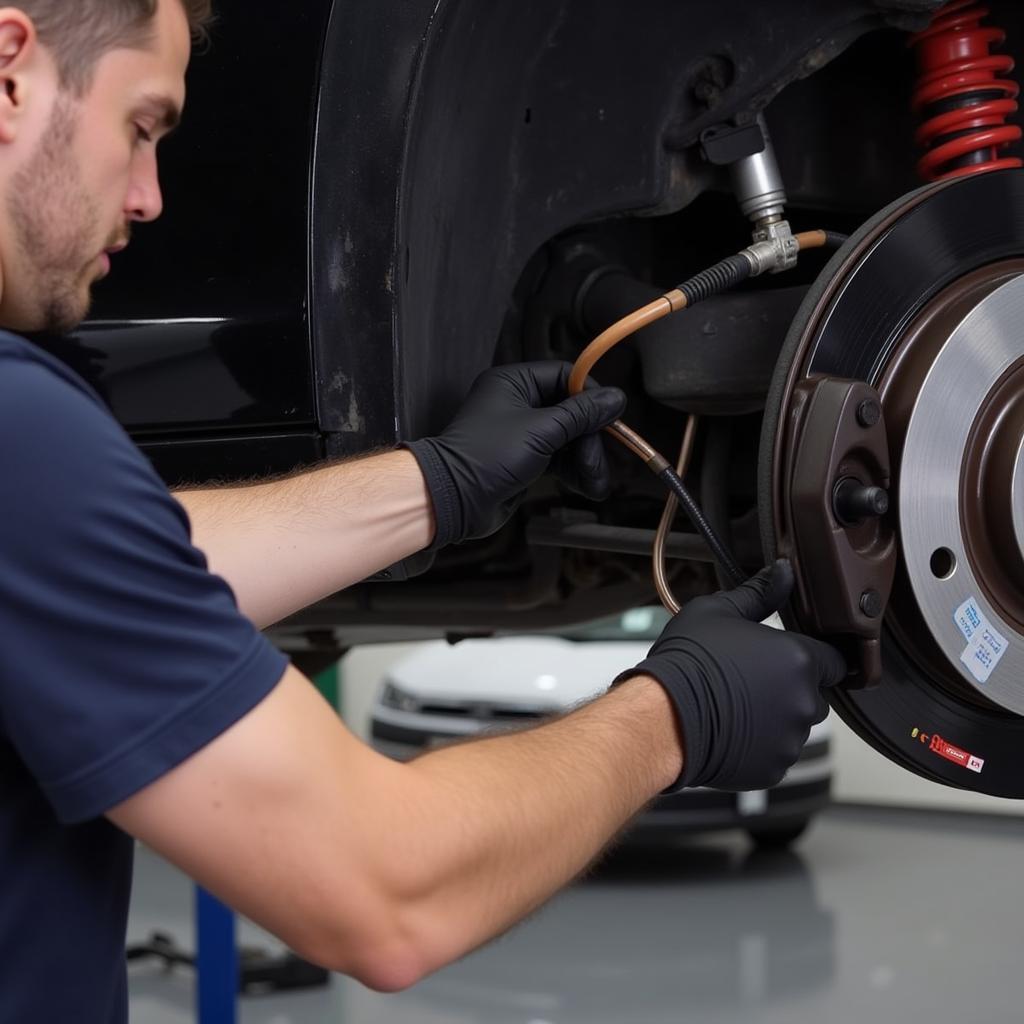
<point>961,96</point>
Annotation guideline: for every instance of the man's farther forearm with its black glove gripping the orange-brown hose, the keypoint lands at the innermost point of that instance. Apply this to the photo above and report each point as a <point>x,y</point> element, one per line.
<point>287,544</point>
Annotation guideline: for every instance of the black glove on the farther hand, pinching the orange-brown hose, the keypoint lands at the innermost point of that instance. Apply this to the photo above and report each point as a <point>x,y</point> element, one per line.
<point>516,422</point>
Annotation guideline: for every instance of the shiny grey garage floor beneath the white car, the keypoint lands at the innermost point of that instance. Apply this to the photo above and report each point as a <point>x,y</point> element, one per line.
<point>877,916</point>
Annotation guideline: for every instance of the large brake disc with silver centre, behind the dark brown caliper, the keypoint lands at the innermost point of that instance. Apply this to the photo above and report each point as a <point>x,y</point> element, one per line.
<point>926,306</point>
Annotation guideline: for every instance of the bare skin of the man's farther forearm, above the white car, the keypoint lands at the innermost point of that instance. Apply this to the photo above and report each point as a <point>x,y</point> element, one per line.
<point>284,545</point>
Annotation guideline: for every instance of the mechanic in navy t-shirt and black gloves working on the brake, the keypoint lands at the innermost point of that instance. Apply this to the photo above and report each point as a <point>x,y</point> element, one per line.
<point>139,698</point>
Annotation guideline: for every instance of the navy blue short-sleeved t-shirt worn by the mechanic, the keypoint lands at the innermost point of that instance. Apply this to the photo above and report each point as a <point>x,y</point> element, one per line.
<point>120,657</point>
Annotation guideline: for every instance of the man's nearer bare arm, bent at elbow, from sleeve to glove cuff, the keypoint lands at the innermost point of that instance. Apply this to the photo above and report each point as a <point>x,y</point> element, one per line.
<point>388,871</point>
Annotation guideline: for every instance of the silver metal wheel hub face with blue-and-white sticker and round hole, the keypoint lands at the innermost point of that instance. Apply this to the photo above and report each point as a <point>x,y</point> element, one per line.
<point>963,462</point>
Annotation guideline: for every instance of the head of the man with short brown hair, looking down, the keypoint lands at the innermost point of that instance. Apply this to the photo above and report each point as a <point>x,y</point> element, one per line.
<point>88,90</point>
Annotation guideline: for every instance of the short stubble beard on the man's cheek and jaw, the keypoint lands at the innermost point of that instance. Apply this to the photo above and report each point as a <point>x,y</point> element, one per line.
<point>57,228</point>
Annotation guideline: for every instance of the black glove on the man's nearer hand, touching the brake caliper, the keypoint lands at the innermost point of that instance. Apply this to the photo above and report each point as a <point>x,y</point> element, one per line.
<point>746,695</point>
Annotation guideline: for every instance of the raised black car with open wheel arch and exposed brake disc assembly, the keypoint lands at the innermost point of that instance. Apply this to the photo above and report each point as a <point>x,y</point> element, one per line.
<point>447,188</point>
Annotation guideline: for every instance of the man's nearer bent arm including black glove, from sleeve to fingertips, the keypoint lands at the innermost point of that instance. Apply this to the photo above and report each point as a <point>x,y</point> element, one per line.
<point>388,871</point>
